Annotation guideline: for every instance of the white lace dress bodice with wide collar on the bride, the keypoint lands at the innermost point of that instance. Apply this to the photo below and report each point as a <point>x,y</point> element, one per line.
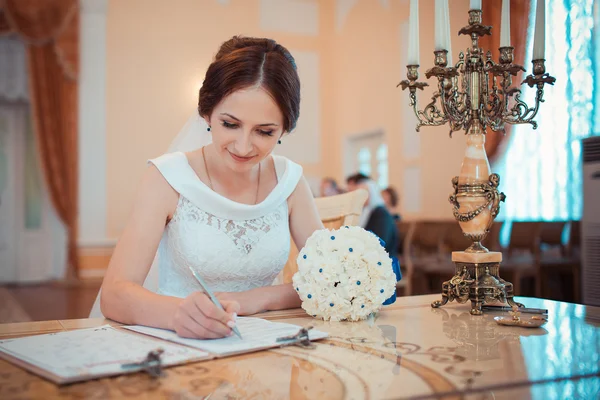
<point>233,246</point>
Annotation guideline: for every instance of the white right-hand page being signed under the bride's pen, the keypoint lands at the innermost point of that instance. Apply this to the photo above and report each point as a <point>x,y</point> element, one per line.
<point>256,333</point>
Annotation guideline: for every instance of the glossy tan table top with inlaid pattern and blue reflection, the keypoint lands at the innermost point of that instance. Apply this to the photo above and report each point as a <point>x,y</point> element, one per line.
<point>408,351</point>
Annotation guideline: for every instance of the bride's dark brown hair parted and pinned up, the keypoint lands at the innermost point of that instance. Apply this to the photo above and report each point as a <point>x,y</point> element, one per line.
<point>244,62</point>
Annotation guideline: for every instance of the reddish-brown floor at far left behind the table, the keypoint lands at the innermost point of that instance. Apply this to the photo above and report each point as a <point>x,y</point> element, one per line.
<point>47,301</point>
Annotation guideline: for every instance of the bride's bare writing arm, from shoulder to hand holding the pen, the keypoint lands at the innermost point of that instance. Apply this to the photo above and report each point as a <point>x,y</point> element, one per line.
<point>124,299</point>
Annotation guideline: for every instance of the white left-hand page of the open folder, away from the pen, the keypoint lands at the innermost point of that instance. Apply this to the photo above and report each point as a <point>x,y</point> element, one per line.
<point>91,352</point>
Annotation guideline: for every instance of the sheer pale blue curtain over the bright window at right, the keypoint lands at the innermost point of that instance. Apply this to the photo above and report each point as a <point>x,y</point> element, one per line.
<point>541,169</point>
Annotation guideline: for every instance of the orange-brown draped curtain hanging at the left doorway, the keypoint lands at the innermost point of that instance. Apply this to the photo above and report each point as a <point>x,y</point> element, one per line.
<point>50,28</point>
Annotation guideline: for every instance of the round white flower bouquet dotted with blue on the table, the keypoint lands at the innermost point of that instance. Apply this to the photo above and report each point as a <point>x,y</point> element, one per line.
<point>344,274</point>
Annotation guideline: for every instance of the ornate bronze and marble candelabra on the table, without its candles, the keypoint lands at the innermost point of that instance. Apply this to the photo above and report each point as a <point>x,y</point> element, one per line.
<point>473,95</point>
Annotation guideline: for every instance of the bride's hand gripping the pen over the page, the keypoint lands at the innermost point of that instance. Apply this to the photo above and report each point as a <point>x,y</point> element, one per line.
<point>198,317</point>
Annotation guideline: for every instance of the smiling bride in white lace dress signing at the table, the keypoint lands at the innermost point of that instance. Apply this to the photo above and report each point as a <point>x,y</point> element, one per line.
<point>225,209</point>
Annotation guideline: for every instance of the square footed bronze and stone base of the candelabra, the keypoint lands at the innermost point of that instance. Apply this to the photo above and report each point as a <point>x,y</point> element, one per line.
<point>477,278</point>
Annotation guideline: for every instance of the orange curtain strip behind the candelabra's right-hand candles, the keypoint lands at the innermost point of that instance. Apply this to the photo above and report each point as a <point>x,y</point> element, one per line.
<point>519,22</point>
